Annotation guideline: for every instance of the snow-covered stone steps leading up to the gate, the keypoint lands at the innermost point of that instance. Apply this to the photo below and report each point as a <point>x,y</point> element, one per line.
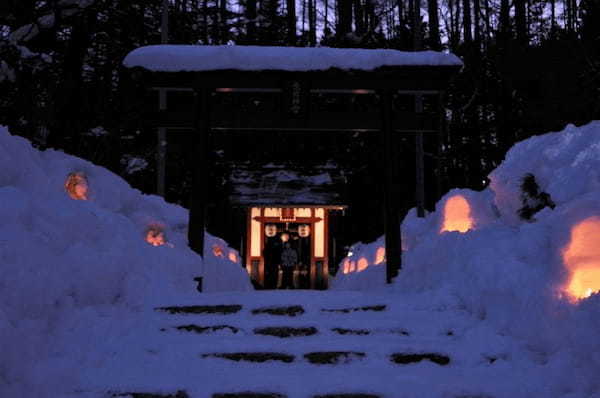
<point>306,344</point>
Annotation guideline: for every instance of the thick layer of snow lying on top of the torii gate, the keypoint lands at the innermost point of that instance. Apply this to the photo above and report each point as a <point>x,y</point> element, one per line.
<point>180,58</point>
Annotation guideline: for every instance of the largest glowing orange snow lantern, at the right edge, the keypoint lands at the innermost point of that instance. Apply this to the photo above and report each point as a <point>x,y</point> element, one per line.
<point>582,258</point>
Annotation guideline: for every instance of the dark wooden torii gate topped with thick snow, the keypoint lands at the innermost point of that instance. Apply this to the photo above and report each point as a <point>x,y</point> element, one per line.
<point>296,73</point>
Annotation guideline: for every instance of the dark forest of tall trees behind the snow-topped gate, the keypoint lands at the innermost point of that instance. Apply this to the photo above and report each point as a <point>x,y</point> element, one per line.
<point>531,66</point>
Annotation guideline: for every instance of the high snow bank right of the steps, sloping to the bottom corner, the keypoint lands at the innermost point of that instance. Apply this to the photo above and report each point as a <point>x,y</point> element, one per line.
<point>511,273</point>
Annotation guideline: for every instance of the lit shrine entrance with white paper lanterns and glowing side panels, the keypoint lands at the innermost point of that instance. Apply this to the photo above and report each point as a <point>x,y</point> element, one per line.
<point>305,229</point>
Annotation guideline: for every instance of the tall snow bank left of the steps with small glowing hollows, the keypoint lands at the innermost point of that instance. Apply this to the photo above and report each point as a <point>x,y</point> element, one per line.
<point>67,263</point>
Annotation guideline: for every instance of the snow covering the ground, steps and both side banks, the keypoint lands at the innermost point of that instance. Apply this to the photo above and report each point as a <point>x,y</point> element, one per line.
<point>80,285</point>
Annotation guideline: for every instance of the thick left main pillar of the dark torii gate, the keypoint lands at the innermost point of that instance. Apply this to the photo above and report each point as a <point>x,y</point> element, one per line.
<point>200,185</point>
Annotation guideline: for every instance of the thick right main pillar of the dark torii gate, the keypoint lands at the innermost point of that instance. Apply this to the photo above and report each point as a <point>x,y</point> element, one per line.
<point>391,213</point>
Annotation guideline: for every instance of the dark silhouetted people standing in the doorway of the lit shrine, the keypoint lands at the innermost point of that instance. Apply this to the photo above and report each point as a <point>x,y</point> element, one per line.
<point>280,256</point>
